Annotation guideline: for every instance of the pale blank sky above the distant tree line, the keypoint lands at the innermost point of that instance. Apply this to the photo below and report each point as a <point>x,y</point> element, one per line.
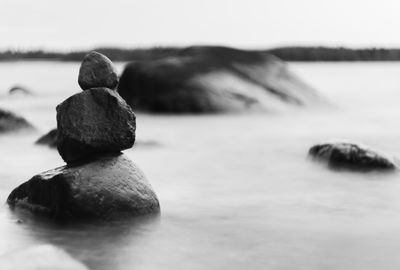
<point>84,24</point>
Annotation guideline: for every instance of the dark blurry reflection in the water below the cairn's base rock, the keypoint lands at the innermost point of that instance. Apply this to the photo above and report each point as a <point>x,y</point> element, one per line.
<point>98,244</point>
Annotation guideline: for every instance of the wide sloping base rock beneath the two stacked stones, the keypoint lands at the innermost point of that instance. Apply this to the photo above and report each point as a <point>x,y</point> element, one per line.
<point>108,187</point>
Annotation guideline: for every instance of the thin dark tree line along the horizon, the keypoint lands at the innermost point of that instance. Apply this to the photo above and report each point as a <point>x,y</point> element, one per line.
<point>305,54</point>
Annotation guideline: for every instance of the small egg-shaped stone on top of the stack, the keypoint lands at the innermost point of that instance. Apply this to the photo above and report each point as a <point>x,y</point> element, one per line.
<point>97,71</point>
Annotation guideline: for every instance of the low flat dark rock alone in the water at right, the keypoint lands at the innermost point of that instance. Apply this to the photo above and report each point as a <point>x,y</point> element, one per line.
<point>351,156</point>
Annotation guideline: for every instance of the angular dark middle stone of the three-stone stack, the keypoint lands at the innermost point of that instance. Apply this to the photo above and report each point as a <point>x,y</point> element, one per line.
<point>95,121</point>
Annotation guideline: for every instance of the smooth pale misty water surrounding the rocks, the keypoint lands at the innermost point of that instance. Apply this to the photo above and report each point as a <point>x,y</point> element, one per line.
<point>236,191</point>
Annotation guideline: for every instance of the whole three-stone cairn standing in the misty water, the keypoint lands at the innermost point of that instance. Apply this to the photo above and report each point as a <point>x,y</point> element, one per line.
<point>93,127</point>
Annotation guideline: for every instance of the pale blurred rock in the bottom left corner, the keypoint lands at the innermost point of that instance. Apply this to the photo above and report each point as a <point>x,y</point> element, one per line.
<point>40,257</point>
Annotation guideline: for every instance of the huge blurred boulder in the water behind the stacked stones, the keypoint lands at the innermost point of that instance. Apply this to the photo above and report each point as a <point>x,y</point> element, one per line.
<point>212,79</point>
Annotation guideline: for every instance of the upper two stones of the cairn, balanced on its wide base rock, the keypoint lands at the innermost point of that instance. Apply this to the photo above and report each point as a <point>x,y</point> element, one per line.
<point>97,120</point>
